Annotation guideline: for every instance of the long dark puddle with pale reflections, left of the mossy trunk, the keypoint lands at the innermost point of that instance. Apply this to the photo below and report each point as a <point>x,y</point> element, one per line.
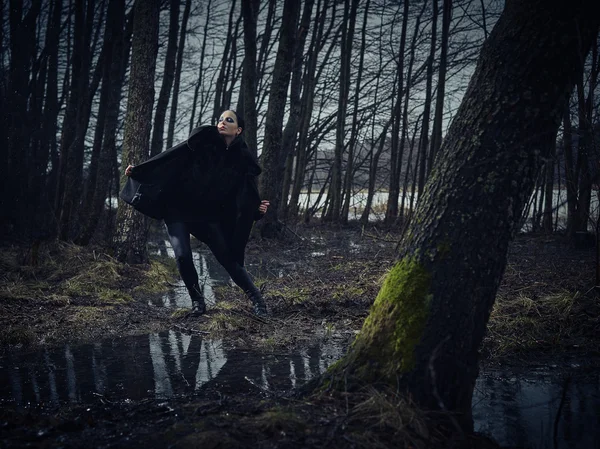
<point>160,366</point>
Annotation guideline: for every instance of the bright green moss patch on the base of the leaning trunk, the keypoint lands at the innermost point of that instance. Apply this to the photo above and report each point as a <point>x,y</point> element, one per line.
<point>395,324</point>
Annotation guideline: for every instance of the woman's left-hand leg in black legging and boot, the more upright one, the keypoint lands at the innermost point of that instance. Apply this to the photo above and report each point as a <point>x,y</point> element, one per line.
<point>179,235</point>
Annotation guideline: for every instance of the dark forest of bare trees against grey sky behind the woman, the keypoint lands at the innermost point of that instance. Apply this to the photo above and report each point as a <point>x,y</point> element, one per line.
<point>346,104</point>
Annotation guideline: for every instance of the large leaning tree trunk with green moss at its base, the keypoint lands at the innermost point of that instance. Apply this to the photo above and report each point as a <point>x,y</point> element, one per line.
<point>426,325</point>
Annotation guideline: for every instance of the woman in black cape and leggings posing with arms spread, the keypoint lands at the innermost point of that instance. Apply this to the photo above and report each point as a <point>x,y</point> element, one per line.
<point>209,192</point>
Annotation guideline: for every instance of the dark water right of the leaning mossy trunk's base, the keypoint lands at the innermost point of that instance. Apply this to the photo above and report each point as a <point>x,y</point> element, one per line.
<point>521,410</point>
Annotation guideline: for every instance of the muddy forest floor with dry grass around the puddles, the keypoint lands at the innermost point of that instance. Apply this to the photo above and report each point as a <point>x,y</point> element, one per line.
<point>319,283</point>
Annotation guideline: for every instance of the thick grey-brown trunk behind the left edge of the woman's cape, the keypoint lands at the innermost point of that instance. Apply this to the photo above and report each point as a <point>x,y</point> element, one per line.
<point>132,229</point>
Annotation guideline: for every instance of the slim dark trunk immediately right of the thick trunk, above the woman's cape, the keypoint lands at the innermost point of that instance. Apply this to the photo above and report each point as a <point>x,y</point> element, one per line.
<point>162,103</point>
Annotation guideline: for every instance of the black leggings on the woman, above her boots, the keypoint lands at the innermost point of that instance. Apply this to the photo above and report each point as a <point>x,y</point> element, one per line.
<point>213,236</point>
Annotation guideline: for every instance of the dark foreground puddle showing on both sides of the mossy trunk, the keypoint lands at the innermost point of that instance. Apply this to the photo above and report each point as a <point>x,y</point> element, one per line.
<point>516,410</point>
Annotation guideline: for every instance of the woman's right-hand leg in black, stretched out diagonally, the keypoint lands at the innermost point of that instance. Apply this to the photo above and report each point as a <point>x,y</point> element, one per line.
<point>213,236</point>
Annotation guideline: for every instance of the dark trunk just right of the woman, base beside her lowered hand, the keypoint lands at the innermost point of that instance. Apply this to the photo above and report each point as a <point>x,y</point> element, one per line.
<point>269,185</point>
